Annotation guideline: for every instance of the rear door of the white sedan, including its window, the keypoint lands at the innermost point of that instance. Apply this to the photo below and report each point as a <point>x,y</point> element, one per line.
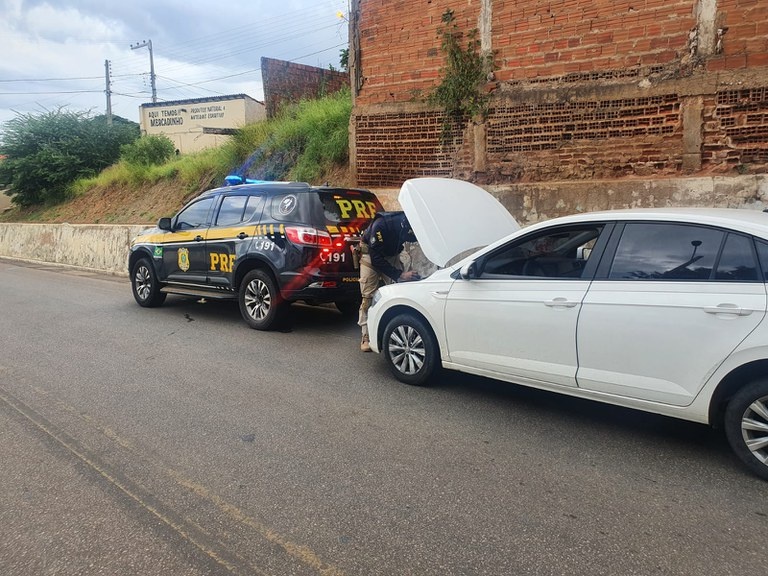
<point>673,303</point>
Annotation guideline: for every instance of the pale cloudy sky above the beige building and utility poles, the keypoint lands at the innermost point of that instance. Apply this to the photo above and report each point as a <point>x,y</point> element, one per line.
<point>54,51</point>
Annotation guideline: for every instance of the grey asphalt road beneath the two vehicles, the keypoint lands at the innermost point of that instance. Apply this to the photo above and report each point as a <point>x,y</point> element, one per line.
<point>178,441</point>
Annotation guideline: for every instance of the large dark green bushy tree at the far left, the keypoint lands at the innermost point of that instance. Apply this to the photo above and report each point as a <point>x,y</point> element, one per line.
<point>45,153</point>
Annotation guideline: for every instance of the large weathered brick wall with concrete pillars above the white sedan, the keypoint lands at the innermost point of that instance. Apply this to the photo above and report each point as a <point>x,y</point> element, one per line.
<point>583,89</point>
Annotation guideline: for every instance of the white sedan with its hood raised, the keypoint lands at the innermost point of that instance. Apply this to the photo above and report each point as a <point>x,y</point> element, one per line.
<point>660,310</point>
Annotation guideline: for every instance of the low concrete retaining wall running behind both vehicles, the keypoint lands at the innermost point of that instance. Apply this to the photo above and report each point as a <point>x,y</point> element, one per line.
<point>105,248</point>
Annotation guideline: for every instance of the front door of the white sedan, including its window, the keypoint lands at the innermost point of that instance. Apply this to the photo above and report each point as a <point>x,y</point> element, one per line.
<point>516,318</point>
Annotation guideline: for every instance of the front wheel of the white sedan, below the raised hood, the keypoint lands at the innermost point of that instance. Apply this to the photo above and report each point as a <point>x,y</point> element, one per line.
<point>410,350</point>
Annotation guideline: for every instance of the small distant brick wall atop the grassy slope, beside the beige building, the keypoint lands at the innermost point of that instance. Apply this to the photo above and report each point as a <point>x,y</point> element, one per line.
<point>286,82</point>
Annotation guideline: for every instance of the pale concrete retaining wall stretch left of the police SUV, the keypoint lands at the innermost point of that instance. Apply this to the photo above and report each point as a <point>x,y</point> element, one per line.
<point>91,246</point>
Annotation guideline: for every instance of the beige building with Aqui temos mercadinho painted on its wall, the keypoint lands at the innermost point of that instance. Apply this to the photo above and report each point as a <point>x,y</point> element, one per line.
<point>200,123</point>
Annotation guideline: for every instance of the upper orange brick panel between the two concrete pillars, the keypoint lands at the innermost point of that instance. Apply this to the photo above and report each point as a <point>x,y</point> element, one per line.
<point>586,40</point>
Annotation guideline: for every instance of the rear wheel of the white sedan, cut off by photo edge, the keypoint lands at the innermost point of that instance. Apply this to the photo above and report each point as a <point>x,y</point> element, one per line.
<point>746,426</point>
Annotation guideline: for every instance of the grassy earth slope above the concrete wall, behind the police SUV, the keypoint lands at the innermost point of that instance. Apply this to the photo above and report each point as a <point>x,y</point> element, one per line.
<point>309,142</point>
